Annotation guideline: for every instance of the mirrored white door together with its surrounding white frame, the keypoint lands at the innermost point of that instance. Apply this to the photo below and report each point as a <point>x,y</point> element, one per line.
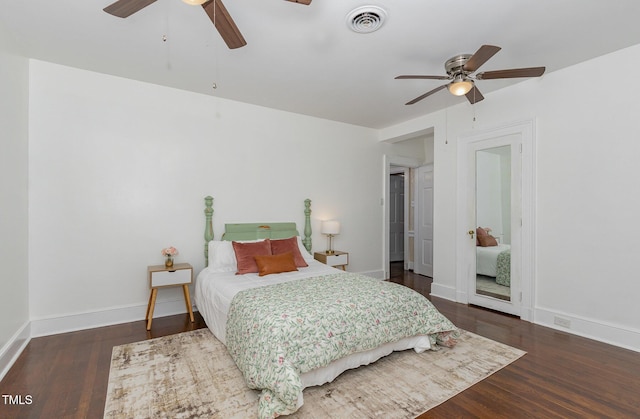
<point>495,222</point>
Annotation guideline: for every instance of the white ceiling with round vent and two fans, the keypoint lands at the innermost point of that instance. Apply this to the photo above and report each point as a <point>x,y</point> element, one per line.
<point>304,59</point>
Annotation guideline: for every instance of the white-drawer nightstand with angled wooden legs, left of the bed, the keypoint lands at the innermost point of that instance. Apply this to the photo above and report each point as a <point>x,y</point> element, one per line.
<point>180,274</point>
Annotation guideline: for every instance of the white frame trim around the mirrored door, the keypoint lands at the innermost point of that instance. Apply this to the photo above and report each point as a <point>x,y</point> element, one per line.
<point>526,130</point>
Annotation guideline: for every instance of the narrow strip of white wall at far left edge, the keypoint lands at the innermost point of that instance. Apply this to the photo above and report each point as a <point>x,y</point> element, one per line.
<point>14,303</point>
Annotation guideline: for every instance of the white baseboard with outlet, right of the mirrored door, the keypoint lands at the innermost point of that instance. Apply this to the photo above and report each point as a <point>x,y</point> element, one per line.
<point>613,334</point>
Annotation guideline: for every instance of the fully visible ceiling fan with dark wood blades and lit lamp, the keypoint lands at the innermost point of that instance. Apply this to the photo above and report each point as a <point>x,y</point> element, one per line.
<point>460,69</point>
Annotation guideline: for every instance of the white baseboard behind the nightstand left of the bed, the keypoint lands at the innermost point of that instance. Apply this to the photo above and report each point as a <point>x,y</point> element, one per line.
<point>89,320</point>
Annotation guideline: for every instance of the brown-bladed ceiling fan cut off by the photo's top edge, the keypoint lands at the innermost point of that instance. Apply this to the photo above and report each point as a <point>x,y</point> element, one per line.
<point>214,8</point>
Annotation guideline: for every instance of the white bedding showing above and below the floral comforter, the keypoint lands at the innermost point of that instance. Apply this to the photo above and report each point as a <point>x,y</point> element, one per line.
<point>215,290</point>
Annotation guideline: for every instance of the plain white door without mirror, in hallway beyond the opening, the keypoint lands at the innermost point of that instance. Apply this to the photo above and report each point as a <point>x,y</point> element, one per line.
<point>423,260</point>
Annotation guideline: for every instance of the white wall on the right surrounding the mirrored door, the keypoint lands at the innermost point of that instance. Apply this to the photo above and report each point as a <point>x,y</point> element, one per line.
<point>586,194</point>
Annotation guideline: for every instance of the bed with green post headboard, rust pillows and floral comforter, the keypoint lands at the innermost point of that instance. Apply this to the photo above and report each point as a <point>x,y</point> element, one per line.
<point>304,326</point>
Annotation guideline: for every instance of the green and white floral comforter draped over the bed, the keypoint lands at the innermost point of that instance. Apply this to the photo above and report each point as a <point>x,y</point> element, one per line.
<point>277,332</point>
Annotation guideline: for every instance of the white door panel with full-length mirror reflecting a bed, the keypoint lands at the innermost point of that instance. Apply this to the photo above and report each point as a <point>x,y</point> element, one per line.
<point>494,203</point>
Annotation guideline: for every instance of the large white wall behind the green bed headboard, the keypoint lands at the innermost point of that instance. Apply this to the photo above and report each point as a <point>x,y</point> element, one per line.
<point>119,169</point>
